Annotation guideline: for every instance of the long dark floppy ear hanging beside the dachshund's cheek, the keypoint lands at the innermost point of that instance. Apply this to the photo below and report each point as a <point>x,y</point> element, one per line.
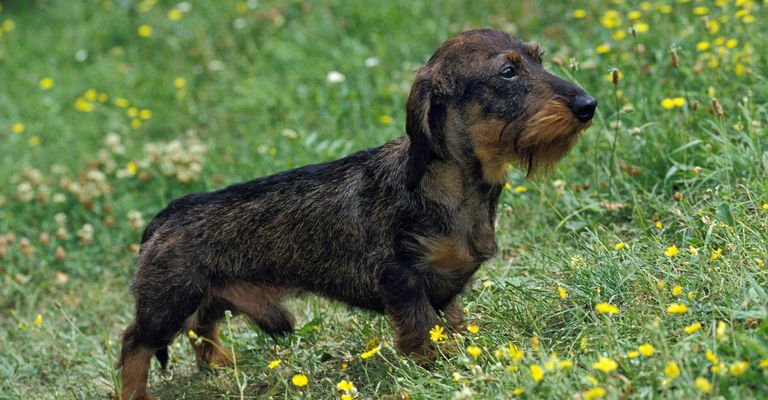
<point>424,121</point>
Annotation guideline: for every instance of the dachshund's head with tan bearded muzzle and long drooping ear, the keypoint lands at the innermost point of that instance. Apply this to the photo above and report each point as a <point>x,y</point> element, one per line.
<point>484,94</point>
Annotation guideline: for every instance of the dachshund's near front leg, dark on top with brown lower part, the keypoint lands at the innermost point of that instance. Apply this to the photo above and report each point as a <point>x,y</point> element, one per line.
<point>408,307</point>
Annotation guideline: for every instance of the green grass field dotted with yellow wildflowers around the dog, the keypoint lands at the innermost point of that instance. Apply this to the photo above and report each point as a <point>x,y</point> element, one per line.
<point>636,270</point>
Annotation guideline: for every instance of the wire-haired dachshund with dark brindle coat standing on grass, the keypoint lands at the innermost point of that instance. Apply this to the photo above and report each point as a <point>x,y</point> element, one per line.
<point>398,229</point>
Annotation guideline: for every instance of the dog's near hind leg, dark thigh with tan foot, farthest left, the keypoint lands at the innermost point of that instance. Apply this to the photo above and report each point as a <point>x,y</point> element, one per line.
<point>165,298</point>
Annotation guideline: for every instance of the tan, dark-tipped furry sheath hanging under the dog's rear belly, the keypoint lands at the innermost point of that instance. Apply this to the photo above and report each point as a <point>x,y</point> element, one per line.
<point>260,303</point>
